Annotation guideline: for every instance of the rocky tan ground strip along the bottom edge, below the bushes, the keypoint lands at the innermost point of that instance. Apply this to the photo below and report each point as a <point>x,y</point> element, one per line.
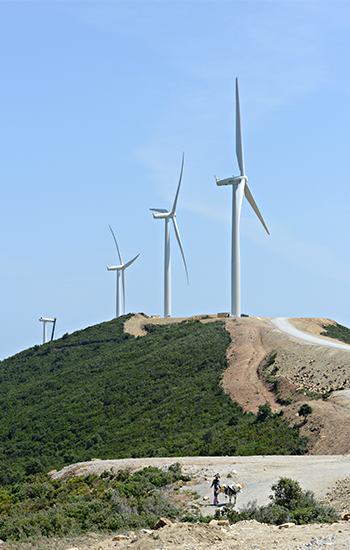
<point>246,535</point>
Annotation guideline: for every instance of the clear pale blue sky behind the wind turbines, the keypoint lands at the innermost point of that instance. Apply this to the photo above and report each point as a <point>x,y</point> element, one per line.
<point>98,100</point>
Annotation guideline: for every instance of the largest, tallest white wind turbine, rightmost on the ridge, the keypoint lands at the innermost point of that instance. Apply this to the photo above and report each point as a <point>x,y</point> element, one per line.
<point>239,184</point>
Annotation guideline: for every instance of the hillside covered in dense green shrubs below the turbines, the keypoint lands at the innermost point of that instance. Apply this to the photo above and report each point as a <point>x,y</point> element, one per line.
<point>102,393</point>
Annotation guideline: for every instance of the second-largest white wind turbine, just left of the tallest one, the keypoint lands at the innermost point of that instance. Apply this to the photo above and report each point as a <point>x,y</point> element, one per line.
<point>162,214</point>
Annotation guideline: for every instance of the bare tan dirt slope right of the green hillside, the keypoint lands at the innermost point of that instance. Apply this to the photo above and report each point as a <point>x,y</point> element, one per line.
<point>302,367</point>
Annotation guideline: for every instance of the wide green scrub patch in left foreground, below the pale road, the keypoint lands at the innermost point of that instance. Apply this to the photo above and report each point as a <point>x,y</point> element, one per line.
<point>38,506</point>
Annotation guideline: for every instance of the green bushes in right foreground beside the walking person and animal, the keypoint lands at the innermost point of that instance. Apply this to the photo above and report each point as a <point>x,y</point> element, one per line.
<point>289,503</point>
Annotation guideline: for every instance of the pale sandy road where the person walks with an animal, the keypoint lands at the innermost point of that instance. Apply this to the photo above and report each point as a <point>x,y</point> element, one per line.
<point>257,473</point>
